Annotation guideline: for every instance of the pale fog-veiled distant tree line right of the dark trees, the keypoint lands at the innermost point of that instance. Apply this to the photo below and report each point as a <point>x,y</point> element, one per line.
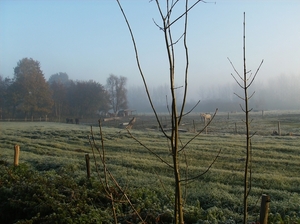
<point>280,92</point>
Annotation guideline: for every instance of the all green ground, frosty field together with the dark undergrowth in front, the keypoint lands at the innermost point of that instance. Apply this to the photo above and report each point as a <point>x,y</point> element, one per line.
<point>50,184</point>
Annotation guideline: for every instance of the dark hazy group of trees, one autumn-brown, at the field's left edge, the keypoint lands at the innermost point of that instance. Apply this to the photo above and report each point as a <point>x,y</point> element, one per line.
<point>28,94</point>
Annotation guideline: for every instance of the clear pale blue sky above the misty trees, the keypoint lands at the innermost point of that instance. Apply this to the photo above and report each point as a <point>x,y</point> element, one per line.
<point>90,40</point>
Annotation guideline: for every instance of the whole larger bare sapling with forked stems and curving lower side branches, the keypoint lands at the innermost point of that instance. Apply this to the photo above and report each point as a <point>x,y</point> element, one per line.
<point>177,109</point>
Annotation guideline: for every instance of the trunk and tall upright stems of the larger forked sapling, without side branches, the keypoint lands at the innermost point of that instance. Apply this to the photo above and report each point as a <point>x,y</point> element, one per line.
<point>175,115</point>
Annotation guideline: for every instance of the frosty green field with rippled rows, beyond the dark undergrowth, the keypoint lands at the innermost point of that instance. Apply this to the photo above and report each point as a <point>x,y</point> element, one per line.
<point>59,149</point>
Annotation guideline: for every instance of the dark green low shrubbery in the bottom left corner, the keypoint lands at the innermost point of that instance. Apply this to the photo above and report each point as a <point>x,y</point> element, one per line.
<point>28,196</point>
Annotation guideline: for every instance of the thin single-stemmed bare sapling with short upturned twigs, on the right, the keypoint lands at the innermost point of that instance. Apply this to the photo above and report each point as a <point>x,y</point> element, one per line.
<point>245,83</point>
